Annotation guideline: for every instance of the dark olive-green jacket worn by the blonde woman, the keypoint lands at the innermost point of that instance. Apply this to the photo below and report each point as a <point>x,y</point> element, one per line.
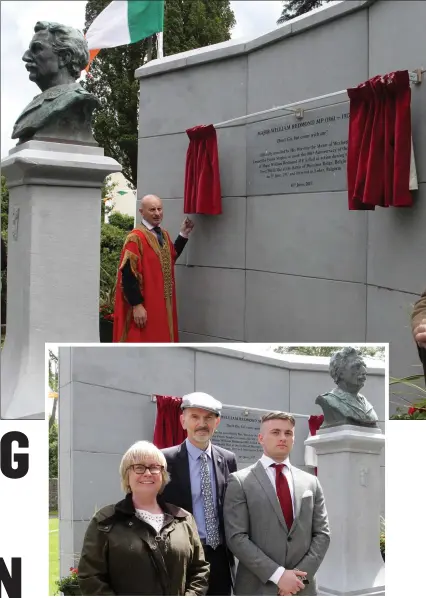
<point>123,556</point>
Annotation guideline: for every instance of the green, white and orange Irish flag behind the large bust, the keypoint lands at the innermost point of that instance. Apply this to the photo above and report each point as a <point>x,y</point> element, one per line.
<point>122,23</point>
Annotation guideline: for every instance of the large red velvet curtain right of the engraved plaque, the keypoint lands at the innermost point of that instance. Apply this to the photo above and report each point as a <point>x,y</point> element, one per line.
<point>379,145</point>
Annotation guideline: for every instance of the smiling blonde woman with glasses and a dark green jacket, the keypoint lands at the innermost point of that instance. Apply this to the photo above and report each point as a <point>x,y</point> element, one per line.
<point>143,546</point>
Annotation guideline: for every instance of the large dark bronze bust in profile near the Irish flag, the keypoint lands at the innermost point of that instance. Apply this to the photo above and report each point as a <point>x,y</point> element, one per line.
<point>63,111</point>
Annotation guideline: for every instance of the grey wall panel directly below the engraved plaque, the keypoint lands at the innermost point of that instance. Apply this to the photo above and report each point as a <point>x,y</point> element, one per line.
<point>308,234</point>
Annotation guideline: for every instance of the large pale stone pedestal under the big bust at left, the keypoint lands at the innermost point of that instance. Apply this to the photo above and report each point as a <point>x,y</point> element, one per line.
<point>53,262</point>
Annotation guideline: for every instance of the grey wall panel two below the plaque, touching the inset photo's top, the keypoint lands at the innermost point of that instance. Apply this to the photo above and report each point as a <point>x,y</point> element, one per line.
<point>279,308</point>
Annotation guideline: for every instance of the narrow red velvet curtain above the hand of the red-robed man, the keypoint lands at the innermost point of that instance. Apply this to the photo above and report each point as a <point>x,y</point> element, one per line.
<point>202,194</point>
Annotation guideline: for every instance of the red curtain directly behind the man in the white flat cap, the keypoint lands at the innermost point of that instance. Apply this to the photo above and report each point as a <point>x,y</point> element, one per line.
<point>168,430</point>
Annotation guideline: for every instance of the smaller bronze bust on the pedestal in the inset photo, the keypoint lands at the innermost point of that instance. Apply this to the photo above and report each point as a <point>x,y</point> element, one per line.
<point>344,404</point>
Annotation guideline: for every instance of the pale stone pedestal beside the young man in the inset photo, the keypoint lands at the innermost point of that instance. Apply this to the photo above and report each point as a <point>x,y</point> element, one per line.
<point>349,472</point>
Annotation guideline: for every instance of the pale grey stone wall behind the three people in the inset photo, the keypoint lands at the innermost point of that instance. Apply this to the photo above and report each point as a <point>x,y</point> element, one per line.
<point>106,405</point>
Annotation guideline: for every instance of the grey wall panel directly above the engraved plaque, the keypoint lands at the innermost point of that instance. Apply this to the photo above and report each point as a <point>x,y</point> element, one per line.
<point>307,65</point>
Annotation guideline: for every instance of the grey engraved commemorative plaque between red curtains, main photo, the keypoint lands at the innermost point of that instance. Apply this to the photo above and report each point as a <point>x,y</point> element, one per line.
<point>286,155</point>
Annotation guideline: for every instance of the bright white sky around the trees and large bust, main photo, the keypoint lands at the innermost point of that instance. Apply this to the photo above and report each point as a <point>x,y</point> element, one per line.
<point>253,18</point>
